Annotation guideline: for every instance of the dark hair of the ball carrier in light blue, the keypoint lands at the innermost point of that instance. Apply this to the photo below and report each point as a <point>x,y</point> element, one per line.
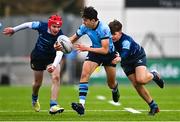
<point>89,13</point>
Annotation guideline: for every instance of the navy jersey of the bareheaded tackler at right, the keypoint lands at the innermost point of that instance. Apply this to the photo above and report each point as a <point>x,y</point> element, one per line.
<point>128,49</point>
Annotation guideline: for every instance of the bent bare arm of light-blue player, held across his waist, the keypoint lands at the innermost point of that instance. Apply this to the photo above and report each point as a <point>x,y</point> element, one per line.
<point>102,50</point>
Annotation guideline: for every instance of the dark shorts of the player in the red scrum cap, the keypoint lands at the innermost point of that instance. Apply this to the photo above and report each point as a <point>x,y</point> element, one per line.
<point>39,63</point>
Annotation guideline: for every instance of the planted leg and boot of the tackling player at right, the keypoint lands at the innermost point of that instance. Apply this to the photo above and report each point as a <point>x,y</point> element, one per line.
<point>144,93</point>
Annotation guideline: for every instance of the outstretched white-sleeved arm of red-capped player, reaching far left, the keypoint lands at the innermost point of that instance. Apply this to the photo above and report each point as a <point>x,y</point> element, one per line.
<point>11,30</point>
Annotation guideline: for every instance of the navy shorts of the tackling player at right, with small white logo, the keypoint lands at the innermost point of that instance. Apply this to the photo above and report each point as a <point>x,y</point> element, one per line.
<point>129,68</point>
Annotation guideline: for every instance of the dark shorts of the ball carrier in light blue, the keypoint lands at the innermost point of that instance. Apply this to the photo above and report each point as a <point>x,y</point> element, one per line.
<point>104,60</point>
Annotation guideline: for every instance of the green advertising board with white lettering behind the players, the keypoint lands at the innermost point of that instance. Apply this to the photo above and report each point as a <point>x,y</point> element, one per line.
<point>169,68</point>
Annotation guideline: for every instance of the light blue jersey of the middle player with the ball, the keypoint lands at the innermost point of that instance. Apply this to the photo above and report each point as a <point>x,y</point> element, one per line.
<point>96,35</point>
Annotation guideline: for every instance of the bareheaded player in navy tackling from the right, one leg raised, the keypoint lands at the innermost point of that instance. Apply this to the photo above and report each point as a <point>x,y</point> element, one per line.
<point>133,62</point>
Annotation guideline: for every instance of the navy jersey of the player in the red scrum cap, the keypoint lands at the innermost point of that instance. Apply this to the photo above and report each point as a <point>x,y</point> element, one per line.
<point>44,45</point>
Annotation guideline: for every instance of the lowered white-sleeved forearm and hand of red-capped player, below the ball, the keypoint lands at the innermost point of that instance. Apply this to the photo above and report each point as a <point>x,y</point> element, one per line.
<point>57,60</point>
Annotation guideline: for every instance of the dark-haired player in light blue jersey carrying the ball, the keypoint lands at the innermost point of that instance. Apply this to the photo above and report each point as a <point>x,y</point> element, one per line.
<point>100,53</point>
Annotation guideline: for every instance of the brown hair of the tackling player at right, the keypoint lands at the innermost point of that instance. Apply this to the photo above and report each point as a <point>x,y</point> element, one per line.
<point>115,26</point>
